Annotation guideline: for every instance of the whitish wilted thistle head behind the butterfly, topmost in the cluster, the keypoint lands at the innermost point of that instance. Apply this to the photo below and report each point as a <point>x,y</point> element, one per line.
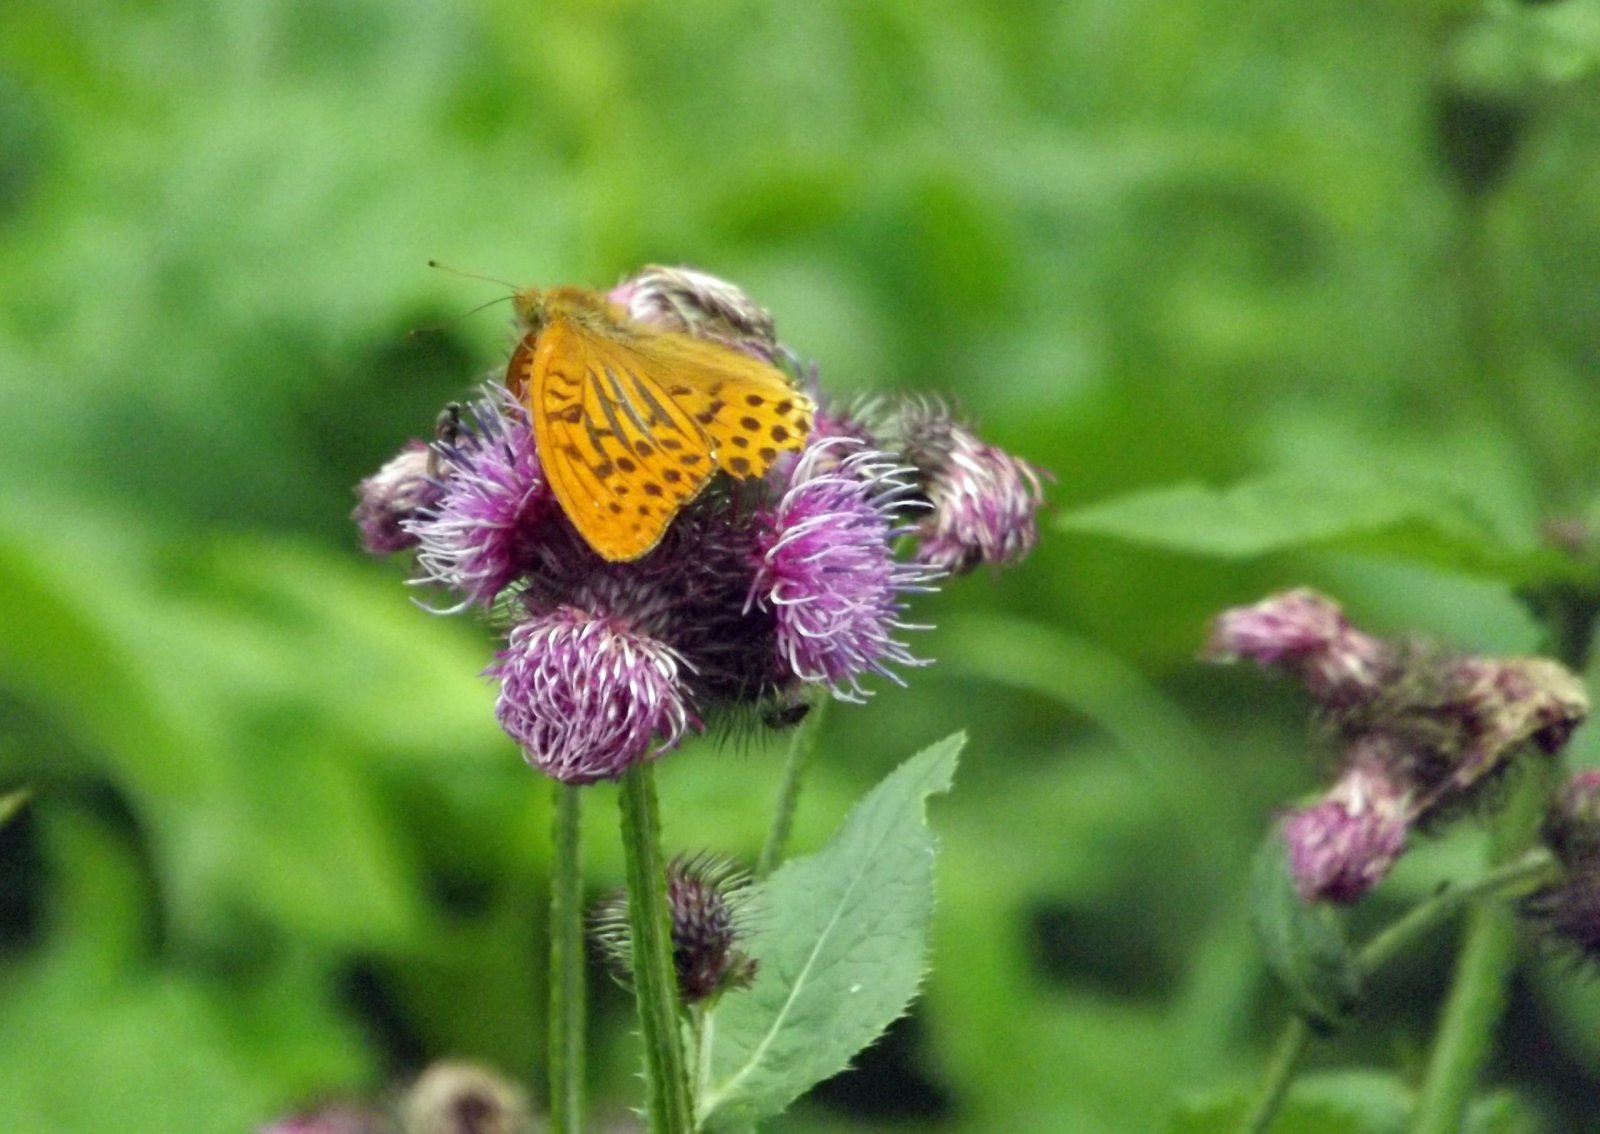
<point>695,303</point>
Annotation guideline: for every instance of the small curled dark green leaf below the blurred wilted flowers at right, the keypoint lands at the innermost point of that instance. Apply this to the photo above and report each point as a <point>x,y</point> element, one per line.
<point>1303,943</point>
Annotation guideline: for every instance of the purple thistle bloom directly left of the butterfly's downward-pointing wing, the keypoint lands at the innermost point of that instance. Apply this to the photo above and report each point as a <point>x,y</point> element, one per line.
<point>476,540</point>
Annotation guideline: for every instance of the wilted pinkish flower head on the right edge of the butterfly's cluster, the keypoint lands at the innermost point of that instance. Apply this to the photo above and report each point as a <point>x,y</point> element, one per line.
<point>985,500</point>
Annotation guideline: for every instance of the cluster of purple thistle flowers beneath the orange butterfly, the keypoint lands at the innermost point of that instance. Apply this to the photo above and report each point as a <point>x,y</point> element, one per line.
<point>759,597</point>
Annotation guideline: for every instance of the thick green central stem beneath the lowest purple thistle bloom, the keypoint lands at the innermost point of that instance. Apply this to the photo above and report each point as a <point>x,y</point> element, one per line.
<point>655,983</point>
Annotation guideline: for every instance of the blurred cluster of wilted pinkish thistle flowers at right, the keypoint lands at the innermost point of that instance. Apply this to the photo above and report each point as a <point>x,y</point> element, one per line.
<point>1420,733</point>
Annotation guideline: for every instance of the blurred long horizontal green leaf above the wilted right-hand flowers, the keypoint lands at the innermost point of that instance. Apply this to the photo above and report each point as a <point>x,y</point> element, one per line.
<point>1409,519</point>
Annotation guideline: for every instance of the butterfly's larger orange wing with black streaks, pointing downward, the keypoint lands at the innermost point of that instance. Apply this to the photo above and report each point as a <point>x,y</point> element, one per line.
<point>618,450</point>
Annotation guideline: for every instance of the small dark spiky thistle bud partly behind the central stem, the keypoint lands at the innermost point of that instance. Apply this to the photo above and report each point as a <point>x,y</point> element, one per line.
<point>708,903</point>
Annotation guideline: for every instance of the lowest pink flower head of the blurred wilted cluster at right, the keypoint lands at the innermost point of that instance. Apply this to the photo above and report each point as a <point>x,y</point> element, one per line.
<point>1345,845</point>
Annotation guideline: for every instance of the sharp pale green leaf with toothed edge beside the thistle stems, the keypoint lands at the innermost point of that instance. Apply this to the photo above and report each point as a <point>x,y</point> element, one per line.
<point>842,952</point>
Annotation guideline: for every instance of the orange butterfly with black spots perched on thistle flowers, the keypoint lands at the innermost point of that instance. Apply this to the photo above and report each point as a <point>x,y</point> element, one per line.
<point>631,423</point>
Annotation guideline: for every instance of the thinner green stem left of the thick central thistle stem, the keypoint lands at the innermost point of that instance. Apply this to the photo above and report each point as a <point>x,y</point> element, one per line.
<point>567,967</point>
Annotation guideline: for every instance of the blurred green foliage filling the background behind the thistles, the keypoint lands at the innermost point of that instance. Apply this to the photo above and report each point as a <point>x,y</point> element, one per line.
<point>276,845</point>
